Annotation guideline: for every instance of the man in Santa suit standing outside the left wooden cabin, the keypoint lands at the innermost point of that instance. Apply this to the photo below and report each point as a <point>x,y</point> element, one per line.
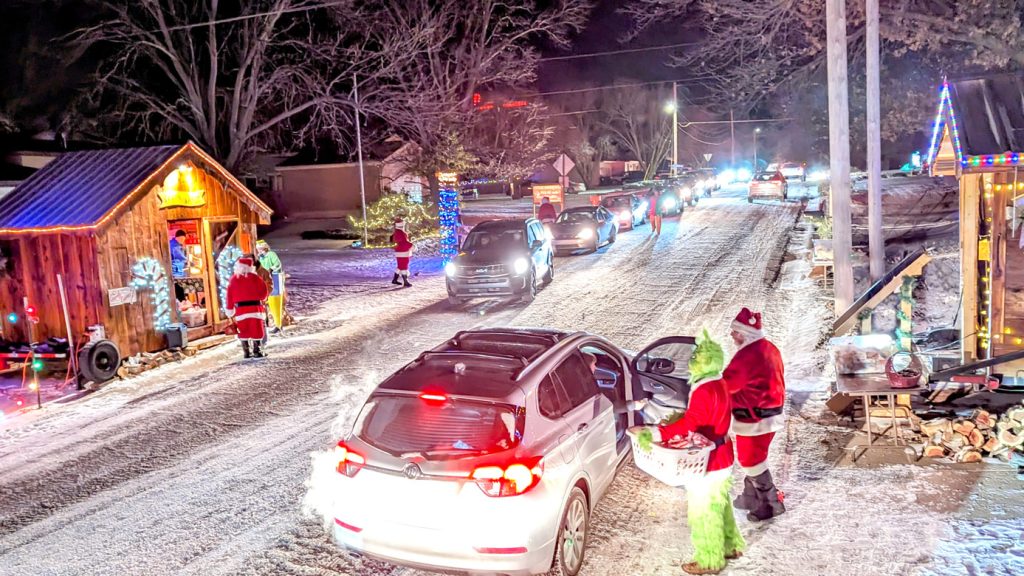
<point>246,294</point>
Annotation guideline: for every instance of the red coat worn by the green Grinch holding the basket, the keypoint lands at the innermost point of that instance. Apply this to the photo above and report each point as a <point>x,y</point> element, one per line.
<point>710,415</point>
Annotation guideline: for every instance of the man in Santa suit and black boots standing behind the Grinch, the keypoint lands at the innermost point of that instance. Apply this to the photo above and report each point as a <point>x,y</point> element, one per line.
<point>757,386</point>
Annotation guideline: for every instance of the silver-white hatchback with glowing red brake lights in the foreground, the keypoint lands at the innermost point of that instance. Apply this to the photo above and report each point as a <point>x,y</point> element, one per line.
<point>488,455</point>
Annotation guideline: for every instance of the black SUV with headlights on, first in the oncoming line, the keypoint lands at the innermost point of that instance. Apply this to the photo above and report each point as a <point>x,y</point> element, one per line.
<point>501,259</point>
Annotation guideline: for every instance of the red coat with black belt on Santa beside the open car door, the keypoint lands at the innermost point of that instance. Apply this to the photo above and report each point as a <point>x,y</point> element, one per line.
<point>756,381</point>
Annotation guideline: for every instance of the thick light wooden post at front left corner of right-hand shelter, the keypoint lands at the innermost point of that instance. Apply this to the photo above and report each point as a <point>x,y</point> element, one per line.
<point>970,188</point>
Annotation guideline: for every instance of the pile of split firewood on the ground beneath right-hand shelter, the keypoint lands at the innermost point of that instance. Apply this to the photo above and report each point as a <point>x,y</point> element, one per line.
<point>967,440</point>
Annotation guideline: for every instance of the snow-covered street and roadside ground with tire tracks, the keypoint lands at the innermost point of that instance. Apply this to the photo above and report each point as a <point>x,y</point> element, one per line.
<point>201,468</point>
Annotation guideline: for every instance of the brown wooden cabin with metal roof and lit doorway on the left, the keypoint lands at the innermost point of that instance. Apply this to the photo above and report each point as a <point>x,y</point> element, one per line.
<point>107,222</point>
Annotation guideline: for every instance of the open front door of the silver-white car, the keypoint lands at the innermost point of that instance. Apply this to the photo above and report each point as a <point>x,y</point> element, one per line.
<point>663,373</point>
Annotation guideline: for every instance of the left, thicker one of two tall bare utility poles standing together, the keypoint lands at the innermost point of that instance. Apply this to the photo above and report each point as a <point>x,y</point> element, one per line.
<point>839,153</point>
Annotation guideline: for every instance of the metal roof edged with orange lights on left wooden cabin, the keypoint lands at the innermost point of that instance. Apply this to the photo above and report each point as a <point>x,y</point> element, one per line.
<point>82,190</point>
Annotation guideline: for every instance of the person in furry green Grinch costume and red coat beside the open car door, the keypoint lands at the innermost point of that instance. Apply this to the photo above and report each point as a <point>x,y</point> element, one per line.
<point>713,528</point>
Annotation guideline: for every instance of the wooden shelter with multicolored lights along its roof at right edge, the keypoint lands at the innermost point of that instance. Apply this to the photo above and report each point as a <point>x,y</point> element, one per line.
<point>978,137</point>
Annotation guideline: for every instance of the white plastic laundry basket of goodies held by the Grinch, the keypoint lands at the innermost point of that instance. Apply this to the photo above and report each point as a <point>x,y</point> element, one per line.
<point>676,462</point>
